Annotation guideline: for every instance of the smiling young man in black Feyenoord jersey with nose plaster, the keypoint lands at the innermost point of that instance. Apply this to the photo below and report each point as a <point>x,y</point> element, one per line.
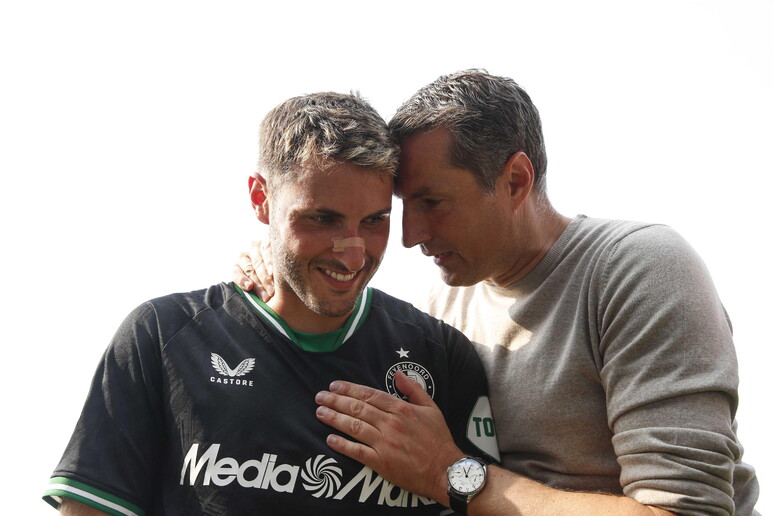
<point>204,402</point>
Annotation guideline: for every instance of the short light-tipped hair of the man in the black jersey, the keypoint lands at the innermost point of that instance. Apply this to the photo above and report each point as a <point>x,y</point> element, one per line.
<point>323,129</point>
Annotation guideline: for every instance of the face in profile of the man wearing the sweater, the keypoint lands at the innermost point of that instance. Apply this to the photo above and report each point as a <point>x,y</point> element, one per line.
<point>446,212</point>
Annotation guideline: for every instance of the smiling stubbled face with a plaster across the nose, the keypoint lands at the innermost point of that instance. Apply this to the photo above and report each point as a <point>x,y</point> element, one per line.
<point>328,232</point>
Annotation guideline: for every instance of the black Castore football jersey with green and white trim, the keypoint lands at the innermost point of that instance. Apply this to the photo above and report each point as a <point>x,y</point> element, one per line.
<point>204,404</point>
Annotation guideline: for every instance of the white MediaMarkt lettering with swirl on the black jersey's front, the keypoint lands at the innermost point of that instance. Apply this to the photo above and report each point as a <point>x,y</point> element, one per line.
<point>321,477</point>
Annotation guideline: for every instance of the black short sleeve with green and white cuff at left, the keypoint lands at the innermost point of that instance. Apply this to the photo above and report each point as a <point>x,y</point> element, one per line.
<point>112,458</point>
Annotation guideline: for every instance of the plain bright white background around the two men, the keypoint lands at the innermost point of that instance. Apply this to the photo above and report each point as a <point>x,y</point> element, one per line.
<point>128,131</point>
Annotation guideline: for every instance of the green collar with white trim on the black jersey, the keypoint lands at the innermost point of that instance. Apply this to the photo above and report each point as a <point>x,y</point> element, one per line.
<point>314,341</point>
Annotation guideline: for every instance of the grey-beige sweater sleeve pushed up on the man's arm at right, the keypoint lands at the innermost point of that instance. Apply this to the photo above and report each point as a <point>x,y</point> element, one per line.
<point>669,372</point>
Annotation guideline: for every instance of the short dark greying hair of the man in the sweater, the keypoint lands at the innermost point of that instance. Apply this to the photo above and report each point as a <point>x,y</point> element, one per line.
<point>490,118</point>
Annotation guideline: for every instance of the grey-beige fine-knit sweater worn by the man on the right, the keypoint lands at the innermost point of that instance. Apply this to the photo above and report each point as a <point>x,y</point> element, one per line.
<point>612,368</point>
